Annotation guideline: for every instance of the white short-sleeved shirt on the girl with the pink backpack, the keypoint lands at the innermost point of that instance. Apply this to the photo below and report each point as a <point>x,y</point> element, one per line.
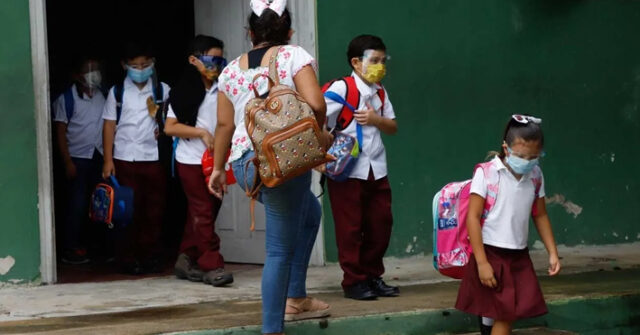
<point>507,224</point>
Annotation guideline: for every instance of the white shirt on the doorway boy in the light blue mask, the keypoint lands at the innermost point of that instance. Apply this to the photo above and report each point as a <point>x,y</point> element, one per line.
<point>135,138</point>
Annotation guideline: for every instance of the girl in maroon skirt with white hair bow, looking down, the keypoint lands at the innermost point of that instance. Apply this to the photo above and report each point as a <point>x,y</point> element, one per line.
<point>500,282</point>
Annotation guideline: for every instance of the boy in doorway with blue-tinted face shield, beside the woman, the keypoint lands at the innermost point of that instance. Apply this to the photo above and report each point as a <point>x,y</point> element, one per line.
<point>192,118</point>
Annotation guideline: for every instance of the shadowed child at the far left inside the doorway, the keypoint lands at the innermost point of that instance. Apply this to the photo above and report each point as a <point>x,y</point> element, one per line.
<point>78,125</point>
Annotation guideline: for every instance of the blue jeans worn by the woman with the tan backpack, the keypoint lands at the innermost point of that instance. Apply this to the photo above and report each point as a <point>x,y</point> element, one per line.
<point>292,220</point>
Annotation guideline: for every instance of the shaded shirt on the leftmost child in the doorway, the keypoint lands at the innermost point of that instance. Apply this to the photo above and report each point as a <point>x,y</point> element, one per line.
<point>84,130</point>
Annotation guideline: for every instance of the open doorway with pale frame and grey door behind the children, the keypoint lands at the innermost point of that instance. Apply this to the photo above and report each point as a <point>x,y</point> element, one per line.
<point>74,28</point>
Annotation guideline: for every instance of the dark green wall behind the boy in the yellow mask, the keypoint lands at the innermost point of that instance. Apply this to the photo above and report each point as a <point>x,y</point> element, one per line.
<point>459,68</point>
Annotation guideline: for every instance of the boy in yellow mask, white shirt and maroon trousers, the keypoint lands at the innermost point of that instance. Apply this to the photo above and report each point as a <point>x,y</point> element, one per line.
<point>361,205</point>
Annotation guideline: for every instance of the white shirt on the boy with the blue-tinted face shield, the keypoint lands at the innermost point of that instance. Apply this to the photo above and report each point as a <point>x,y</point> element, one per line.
<point>190,150</point>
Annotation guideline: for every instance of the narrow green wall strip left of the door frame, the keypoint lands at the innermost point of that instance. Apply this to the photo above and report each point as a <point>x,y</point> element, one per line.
<point>19,234</point>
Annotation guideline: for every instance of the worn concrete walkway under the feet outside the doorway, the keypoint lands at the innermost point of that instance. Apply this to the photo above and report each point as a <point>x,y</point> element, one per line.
<point>161,305</point>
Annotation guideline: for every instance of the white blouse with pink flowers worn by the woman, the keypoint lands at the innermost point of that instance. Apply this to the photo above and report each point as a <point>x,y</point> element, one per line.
<point>237,85</point>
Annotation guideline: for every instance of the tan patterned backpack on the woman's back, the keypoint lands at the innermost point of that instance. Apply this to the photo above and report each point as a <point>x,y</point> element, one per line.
<point>284,132</point>
